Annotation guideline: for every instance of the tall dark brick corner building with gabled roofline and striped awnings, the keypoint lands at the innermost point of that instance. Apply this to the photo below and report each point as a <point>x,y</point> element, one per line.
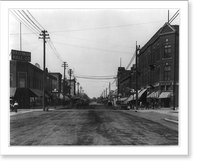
<point>158,65</point>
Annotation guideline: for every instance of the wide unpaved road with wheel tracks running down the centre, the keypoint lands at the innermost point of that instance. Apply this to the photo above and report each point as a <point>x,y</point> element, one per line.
<point>97,125</point>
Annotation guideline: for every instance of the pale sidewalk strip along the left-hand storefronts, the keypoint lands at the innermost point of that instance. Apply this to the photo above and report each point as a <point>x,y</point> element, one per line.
<point>22,111</point>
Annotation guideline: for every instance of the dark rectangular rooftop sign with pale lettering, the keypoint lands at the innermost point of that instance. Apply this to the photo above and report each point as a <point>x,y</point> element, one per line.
<point>21,55</point>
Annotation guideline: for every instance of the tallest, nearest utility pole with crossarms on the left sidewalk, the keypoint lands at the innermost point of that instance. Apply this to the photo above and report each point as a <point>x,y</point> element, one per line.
<point>44,35</point>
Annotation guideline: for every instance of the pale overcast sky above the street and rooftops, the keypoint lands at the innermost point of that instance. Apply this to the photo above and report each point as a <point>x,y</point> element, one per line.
<point>91,41</point>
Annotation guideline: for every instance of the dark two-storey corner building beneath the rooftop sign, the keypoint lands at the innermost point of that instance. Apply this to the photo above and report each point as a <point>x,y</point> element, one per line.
<point>26,84</point>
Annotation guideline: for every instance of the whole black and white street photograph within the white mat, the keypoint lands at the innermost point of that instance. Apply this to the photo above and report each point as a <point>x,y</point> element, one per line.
<point>94,77</point>
